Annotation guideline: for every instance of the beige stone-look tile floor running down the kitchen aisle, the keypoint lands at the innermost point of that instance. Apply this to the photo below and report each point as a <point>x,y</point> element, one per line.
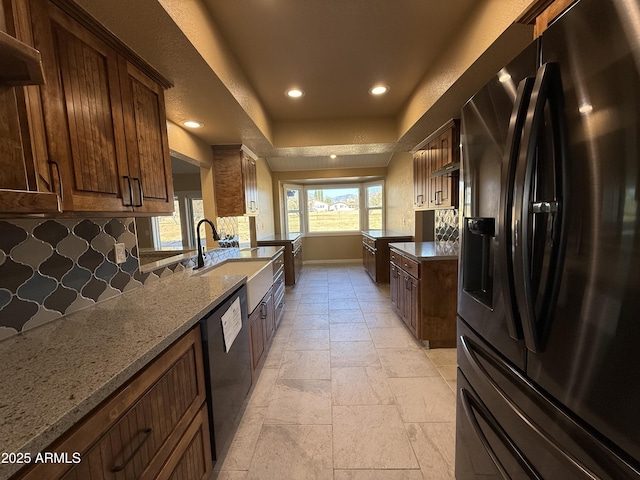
<point>346,393</point>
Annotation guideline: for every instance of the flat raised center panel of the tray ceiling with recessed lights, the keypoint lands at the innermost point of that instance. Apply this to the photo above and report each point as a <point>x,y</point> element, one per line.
<point>336,50</point>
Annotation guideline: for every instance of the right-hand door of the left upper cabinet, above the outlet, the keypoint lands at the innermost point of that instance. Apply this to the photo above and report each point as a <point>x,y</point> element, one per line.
<point>147,143</point>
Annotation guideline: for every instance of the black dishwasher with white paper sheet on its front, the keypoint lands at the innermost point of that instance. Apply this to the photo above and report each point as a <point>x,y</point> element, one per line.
<point>227,373</point>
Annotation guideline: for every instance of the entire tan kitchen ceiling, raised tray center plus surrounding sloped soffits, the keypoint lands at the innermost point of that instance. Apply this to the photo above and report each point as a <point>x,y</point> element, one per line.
<point>231,62</point>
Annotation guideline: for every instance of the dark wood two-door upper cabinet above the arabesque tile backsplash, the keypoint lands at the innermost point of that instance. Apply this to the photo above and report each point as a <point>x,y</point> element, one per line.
<point>100,115</point>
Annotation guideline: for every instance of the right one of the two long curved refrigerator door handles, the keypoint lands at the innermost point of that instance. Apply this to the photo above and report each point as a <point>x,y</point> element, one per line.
<point>536,288</point>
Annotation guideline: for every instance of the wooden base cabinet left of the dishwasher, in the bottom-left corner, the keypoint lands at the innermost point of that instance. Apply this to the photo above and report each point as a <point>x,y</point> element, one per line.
<point>154,427</point>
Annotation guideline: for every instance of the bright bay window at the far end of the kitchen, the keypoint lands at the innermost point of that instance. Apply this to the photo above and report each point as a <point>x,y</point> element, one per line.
<point>318,209</point>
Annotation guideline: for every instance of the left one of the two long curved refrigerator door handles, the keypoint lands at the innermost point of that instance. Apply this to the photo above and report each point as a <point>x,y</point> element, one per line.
<point>508,235</point>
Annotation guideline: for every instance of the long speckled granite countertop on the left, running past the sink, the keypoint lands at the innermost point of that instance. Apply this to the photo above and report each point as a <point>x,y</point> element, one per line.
<point>53,375</point>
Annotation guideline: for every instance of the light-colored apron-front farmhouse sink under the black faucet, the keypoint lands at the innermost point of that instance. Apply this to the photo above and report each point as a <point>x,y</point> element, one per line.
<point>259,275</point>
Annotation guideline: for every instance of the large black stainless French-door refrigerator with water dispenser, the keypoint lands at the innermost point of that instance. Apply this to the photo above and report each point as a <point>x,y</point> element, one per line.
<point>549,286</point>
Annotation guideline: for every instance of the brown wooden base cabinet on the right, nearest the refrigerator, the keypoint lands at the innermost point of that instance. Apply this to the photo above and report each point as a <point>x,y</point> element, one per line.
<point>424,294</point>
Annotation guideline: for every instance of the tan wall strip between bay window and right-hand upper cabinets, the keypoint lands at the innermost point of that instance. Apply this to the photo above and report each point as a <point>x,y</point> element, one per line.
<point>399,194</point>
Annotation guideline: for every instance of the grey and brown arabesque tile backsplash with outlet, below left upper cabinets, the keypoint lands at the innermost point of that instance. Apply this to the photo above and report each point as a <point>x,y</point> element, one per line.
<point>49,268</point>
